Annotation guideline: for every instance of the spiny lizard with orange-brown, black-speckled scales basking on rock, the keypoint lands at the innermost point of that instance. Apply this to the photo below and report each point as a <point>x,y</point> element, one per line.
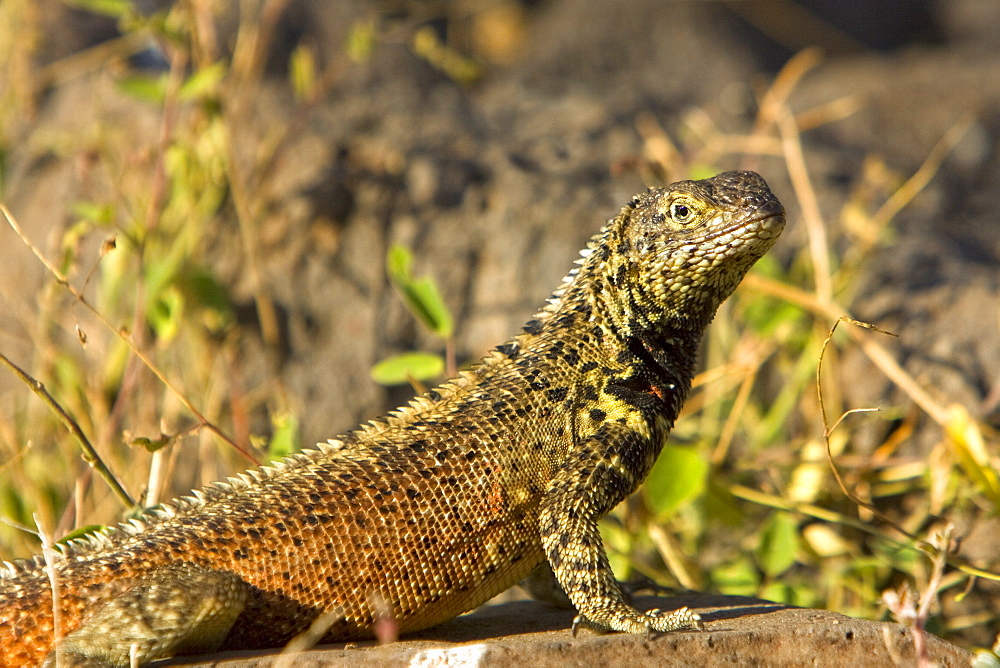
<point>445,502</point>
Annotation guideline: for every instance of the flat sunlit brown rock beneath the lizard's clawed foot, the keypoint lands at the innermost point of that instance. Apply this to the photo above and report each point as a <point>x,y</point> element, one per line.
<point>738,631</point>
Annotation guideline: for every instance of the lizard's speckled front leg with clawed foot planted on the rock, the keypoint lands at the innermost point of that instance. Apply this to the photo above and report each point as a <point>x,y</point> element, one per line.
<point>595,477</point>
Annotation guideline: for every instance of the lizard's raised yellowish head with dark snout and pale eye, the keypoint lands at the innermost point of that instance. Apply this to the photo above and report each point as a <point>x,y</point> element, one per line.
<point>674,254</point>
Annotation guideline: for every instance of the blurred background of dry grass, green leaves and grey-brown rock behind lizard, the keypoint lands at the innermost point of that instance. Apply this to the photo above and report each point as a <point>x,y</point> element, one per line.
<point>291,208</point>
